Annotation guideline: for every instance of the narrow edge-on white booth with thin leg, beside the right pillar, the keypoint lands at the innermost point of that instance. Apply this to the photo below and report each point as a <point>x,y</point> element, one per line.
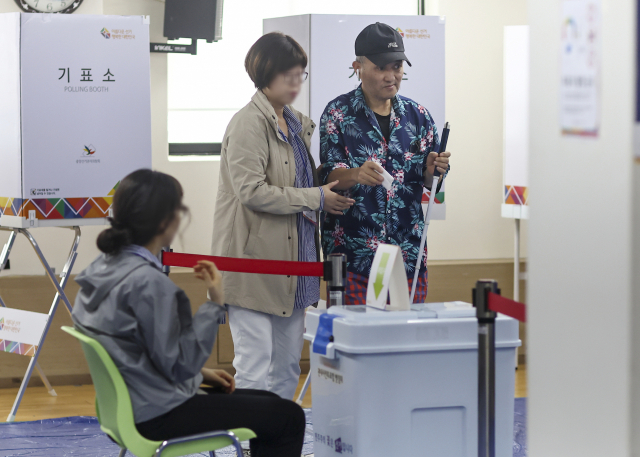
<point>515,203</point>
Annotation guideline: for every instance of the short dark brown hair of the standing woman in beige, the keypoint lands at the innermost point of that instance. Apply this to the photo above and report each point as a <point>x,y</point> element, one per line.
<point>272,54</point>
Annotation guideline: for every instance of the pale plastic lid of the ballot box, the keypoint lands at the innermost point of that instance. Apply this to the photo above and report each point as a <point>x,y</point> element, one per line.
<point>426,327</point>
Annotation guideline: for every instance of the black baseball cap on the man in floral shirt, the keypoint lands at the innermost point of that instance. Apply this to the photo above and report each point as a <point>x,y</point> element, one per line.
<point>381,44</point>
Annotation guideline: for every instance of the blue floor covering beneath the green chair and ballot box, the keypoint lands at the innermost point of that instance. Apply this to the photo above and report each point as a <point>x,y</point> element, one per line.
<point>81,436</point>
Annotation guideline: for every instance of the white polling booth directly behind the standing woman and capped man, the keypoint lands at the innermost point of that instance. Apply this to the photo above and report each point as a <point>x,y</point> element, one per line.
<point>329,40</point>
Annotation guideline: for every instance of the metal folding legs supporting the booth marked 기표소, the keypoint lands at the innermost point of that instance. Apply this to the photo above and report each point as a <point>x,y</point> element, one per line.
<point>60,295</point>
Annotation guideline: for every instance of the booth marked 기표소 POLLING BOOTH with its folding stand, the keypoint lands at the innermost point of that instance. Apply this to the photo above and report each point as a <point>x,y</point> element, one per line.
<point>76,117</point>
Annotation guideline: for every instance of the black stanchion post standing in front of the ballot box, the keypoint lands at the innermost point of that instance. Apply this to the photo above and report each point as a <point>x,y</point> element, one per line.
<point>486,368</point>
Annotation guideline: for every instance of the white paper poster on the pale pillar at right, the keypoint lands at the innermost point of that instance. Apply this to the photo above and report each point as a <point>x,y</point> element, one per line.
<point>580,67</point>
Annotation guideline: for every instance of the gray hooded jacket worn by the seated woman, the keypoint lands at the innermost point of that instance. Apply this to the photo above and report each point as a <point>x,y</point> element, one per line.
<point>144,322</point>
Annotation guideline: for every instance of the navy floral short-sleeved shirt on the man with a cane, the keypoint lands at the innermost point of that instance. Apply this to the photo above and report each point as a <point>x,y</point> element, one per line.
<point>350,136</point>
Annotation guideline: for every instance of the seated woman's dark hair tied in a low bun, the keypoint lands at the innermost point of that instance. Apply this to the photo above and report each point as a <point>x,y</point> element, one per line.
<point>144,204</point>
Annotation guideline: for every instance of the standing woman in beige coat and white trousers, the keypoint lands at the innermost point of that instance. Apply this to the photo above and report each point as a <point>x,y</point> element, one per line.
<point>268,207</point>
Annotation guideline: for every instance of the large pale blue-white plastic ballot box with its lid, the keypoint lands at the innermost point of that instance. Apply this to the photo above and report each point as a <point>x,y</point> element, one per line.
<point>388,383</point>
